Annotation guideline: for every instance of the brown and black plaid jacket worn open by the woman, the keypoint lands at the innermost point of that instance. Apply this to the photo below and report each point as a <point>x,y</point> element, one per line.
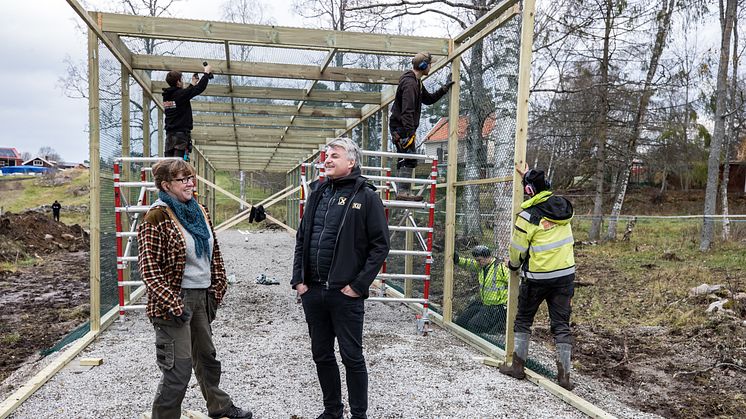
<point>162,259</point>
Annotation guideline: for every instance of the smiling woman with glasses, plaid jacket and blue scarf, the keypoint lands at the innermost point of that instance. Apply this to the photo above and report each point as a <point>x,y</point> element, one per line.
<point>183,271</point>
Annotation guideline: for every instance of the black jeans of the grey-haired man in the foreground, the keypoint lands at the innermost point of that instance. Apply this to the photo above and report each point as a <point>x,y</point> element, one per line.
<point>330,314</point>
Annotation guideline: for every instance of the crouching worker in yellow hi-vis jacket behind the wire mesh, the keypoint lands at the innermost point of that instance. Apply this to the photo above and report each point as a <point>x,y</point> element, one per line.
<point>486,314</point>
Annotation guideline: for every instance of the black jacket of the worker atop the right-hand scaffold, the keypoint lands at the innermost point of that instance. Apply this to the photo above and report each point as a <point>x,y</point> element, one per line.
<point>410,95</point>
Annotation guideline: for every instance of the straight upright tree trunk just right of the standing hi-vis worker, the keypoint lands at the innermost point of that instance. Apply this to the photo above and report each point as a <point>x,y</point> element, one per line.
<point>598,198</point>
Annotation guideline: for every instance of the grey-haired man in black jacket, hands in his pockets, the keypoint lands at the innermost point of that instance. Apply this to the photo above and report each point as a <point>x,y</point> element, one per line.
<point>342,241</point>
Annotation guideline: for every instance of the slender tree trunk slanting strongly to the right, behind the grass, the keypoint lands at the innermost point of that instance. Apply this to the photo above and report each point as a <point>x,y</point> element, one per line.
<point>664,24</point>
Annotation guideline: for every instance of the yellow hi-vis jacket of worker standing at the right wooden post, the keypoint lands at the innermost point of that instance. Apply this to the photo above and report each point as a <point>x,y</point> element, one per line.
<point>542,243</point>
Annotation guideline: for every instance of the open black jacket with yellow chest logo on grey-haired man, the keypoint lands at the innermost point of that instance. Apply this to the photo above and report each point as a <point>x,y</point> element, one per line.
<point>361,242</point>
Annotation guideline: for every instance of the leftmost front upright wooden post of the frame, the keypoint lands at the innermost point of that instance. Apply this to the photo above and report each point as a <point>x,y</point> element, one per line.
<point>95,182</point>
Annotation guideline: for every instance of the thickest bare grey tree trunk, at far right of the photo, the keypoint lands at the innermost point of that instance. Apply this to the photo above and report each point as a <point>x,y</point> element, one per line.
<point>713,163</point>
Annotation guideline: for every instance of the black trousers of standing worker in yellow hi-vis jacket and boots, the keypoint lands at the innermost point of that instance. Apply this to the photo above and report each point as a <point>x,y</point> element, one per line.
<point>559,303</point>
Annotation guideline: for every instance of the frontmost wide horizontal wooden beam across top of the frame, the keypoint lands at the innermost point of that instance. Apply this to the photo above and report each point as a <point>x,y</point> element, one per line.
<point>270,36</point>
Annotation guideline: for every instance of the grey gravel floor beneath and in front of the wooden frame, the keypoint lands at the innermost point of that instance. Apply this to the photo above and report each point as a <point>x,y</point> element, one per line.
<point>262,341</point>
